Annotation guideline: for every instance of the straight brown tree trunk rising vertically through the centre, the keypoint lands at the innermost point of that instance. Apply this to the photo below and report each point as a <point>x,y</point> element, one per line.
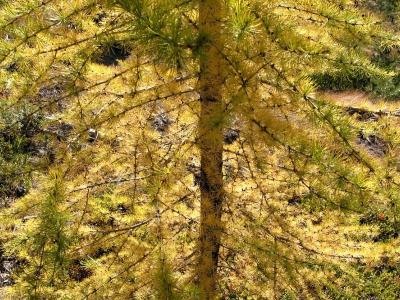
<point>210,143</point>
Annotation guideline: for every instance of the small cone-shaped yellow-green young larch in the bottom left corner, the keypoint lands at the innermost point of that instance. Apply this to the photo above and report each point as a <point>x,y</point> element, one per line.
<point>43,246</point>
